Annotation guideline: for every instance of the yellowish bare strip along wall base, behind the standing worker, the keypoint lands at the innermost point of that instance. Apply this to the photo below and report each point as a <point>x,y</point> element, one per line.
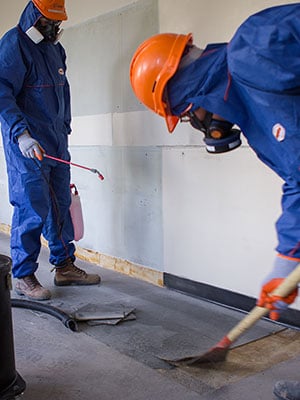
<point>110,262</point>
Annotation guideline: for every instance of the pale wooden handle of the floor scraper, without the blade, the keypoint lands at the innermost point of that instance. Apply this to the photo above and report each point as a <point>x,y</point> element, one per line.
<point>284,289</point>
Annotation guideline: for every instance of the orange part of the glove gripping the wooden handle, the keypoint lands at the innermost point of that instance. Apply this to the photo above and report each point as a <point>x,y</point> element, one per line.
<point>275,304</point>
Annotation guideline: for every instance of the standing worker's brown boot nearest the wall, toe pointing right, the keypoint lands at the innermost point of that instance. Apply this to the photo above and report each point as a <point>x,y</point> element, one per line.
<point>68,274</point>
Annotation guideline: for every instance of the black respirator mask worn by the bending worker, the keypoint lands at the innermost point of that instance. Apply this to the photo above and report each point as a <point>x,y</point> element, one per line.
<point>219,136</point>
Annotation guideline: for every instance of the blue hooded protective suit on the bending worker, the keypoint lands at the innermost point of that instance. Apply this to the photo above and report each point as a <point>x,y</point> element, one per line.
<point>254,82</point>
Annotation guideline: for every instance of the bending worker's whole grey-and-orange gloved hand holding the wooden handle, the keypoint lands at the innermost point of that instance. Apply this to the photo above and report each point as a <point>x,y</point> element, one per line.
<point>276,304</point>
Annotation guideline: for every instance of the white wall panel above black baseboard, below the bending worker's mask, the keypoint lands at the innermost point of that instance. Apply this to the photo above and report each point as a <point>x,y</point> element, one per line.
<point>219,217</point>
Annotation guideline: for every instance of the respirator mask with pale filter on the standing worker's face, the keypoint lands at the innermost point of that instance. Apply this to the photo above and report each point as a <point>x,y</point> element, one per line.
<point>45,29</point>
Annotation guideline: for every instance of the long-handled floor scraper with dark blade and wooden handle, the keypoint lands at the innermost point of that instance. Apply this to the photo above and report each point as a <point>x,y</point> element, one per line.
<point>219,351</point>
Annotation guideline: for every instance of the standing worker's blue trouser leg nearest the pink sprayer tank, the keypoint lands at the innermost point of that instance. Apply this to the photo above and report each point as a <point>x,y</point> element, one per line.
<point>58,229</point>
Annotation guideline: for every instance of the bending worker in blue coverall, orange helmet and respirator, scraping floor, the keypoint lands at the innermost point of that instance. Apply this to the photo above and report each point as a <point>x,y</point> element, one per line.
<point>251,83</point>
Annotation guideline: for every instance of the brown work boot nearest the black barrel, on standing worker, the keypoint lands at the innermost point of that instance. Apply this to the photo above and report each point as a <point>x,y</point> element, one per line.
<point>30,287</point>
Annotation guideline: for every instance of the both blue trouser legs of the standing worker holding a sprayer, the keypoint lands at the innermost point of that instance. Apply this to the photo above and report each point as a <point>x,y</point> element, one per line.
<point>40,196</point>
